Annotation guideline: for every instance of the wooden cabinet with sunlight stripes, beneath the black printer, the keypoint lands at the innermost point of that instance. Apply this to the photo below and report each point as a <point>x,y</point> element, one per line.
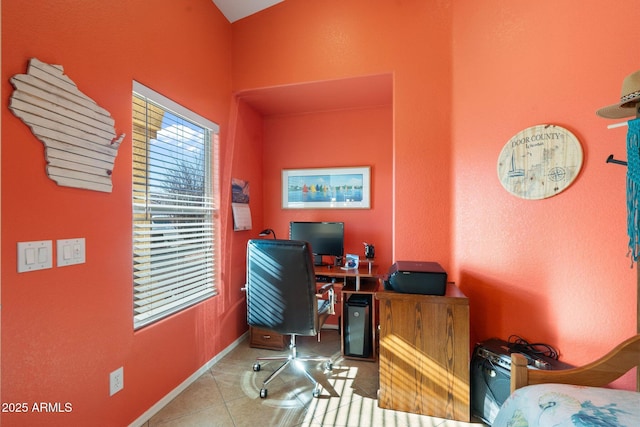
<point>424,353</point>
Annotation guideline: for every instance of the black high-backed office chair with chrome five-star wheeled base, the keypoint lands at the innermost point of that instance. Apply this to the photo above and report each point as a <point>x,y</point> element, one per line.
<point>282,298</point>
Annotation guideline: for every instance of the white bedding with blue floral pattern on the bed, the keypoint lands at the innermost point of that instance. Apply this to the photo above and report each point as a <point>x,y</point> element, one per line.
<point>548,405</point>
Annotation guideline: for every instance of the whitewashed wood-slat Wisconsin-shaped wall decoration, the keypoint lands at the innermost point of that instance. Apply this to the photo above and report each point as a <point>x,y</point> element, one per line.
<point>78,135</point>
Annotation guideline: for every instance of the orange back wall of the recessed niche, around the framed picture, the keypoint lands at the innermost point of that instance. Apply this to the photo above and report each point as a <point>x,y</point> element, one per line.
<point>333,139</point>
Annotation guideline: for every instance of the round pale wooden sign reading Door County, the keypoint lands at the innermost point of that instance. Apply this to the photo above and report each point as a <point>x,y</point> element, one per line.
<point>539,162</point>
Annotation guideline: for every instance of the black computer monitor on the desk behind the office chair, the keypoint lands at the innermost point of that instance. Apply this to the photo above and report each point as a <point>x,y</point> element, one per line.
<point>326,238</point>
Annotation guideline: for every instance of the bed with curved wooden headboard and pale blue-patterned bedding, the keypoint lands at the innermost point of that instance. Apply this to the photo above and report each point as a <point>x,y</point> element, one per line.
<point>573,397</point>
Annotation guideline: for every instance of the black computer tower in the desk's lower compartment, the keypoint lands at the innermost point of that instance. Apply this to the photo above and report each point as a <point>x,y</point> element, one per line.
<point>357,328</point>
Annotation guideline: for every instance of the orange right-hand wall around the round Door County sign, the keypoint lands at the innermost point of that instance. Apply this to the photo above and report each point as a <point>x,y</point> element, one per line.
<point>552,270</point>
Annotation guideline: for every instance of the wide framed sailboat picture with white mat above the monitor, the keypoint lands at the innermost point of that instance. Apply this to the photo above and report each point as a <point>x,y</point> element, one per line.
<point>327,188</point>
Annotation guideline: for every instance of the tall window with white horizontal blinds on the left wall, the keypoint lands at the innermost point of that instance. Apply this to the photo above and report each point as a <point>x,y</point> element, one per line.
<point>174,207</point>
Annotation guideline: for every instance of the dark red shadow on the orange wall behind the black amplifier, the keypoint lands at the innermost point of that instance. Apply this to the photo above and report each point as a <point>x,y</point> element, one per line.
<point>499,309</point>
